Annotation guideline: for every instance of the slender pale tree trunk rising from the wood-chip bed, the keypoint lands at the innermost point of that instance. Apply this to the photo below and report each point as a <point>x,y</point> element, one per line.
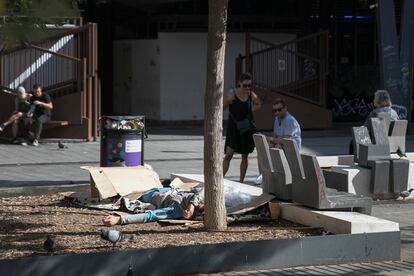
<point>215,210</point>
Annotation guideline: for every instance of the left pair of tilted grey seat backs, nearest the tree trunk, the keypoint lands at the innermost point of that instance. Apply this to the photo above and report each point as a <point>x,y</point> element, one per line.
<point>277,178</point>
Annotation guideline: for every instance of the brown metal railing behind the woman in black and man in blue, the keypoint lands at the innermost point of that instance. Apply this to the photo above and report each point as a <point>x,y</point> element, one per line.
<point>297,68</point>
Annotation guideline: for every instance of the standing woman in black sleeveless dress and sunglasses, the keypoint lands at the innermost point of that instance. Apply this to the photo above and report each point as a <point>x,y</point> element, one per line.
<point>242,102</point>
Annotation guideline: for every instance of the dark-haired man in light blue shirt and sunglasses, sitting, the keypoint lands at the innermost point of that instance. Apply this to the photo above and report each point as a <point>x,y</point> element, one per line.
<point>286,126</point>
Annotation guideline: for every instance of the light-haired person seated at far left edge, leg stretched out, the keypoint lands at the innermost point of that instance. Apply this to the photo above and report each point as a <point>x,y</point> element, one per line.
<point>22,107</point>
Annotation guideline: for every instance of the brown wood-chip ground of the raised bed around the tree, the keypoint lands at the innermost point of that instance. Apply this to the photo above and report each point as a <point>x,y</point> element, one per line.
<point>26,222</point>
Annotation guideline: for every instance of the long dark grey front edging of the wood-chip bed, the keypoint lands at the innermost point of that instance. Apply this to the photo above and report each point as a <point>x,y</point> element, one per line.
<point>210,258</point>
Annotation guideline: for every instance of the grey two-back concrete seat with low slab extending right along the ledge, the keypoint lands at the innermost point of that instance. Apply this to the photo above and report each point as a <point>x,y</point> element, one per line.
<point>309,187</point>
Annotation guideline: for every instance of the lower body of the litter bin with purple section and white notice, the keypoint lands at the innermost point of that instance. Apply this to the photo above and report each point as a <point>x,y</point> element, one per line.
<point>124,152</point>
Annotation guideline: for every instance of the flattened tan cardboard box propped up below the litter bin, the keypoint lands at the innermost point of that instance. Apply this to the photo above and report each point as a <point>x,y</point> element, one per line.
<point>108,182</point>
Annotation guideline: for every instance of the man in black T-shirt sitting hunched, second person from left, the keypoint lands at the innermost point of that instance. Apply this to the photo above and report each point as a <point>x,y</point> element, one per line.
<point>42,111</point>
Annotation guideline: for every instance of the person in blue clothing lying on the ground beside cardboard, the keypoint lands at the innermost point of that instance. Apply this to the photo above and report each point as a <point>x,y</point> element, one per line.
<point>170,203</point>
